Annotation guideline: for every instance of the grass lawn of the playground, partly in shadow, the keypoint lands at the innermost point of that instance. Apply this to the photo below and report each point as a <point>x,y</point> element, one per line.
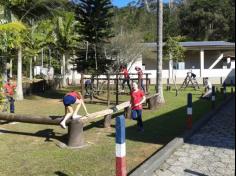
<point>32,150</point>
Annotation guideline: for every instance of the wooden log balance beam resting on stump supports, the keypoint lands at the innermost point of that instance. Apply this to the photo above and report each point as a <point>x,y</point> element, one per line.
<point>75,126</point>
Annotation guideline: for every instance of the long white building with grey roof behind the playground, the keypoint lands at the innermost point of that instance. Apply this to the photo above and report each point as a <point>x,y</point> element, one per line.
<point>213,59</point>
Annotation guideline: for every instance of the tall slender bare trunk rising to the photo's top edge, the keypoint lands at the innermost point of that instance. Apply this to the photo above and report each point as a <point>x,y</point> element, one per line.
<point>159,86</point>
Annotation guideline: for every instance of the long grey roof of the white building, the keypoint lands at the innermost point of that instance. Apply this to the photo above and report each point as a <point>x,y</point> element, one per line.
<point>207,45</point>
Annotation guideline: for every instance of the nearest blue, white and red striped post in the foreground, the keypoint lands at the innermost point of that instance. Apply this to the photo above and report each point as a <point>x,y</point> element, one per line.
<point>120,147</point>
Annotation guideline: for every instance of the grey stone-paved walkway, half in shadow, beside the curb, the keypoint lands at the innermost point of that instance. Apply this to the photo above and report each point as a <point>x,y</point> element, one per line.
<point>210,152</point>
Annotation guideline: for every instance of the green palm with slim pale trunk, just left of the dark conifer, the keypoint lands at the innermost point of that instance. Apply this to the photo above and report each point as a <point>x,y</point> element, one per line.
<point>66,39</point>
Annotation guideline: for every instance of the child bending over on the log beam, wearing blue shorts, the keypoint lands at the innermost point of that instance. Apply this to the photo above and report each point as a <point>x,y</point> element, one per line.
<point>72,97</point>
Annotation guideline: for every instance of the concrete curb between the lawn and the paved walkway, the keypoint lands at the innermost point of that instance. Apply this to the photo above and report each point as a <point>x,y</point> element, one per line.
<point>154,163</point>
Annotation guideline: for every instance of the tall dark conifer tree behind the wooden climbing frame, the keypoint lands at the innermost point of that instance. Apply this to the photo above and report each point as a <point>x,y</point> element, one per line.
<point>95,29</point>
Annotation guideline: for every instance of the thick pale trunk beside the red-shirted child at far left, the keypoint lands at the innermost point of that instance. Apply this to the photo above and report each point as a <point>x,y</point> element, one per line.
<point>19,89</point>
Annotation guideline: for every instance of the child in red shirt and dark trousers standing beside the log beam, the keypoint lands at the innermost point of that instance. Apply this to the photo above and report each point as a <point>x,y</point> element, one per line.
<point>137,99</point>
